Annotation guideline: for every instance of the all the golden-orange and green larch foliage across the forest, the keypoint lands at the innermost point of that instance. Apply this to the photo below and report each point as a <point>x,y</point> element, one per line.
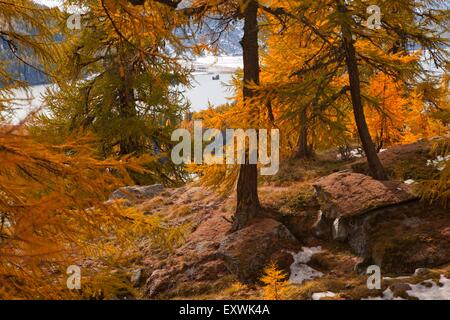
<point>118,101</point>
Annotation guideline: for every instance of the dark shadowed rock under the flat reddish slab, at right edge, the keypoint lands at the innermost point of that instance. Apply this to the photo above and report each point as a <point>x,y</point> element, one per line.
<point>399,248</point>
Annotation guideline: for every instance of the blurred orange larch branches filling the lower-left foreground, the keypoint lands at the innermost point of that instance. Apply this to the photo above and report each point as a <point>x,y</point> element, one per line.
<point>53,216</point>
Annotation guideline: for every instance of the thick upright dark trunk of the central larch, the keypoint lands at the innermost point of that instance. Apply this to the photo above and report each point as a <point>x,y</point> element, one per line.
<point>247,187</point>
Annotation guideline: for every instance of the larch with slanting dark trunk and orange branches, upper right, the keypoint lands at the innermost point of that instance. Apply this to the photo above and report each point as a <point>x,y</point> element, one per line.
<point>352,47</point>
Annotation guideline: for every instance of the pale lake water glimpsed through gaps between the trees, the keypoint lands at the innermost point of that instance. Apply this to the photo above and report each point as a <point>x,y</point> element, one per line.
<point>203,91</point>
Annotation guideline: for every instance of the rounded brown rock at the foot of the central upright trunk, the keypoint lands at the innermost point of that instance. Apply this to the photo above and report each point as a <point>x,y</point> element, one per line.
<point>248,251</point>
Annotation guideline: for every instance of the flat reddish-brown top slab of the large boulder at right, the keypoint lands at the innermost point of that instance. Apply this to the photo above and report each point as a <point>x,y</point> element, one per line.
<point>345,194</point>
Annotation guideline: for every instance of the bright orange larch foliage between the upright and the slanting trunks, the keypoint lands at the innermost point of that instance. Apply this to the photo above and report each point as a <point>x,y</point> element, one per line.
<point>307,106</point>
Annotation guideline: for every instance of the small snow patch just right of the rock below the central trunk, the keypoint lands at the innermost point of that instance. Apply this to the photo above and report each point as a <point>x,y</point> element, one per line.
<point>300,272</point>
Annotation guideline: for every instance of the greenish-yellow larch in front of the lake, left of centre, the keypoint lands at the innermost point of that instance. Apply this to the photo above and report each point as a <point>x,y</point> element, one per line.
<point>121,78</point>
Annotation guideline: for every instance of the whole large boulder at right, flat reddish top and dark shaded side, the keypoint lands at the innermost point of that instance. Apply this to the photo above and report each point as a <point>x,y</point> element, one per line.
<point>383,222</point>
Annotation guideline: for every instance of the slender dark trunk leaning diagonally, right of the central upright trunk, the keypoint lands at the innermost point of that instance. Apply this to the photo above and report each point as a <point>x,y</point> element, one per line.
<point>375,167</point>
